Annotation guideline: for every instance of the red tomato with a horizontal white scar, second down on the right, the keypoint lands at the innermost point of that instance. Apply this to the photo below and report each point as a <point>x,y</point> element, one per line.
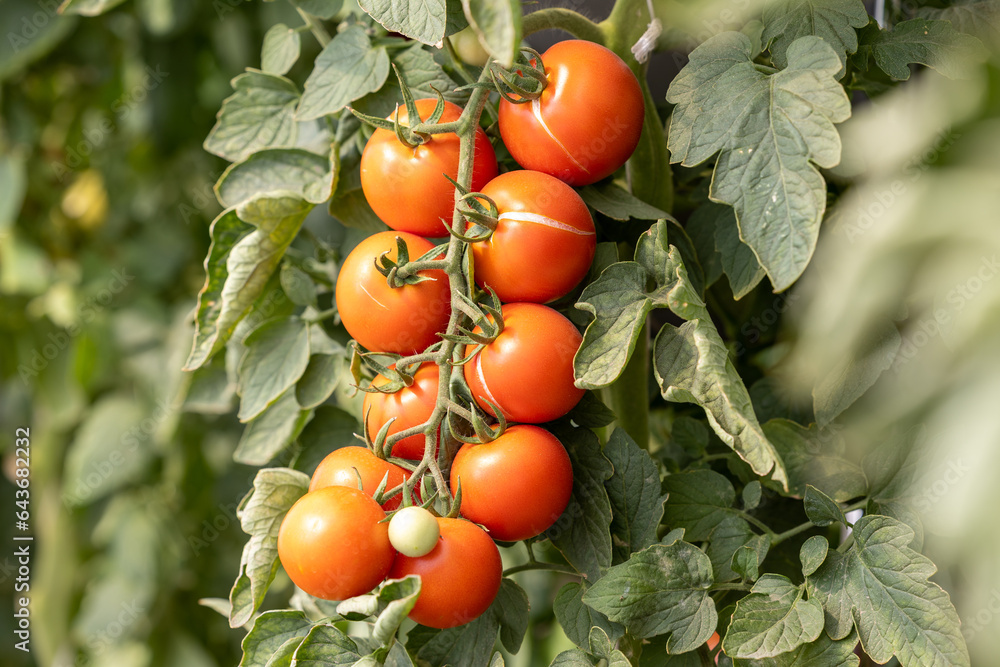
<point>544,242</point>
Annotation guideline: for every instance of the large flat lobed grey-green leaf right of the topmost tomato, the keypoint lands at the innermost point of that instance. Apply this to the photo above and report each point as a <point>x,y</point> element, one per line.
<point>770,131</point>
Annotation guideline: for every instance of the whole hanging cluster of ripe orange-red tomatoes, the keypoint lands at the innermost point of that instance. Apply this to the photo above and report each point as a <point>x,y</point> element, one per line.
<point>334,542</point>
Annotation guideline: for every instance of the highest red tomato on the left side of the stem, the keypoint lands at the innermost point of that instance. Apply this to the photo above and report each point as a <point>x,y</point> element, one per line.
<point>406,186</point>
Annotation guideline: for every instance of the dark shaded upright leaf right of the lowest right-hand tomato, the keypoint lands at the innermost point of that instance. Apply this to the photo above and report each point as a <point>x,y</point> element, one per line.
<point>634,491</point>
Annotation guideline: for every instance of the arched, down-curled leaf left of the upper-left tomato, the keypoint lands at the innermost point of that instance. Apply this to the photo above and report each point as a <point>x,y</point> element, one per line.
<point>277,170</point>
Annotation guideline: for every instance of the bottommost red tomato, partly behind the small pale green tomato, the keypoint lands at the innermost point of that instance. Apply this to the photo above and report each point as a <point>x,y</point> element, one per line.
<point>459,578</point>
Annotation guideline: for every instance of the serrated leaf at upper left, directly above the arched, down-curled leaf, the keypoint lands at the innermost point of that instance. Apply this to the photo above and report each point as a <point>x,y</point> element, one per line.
<point>256,116</point>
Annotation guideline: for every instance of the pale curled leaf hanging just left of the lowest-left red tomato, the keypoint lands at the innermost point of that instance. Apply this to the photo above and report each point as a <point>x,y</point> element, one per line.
<point>274,491</point>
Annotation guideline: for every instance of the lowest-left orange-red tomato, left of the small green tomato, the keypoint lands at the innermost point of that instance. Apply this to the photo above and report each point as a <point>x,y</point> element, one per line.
<point>332,545</point>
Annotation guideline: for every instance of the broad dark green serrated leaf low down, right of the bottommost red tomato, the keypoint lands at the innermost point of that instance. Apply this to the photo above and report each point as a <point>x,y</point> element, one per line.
<point>662,590</point>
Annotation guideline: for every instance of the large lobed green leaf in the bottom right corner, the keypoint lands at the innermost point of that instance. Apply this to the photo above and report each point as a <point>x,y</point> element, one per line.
<point>882,587</point>
